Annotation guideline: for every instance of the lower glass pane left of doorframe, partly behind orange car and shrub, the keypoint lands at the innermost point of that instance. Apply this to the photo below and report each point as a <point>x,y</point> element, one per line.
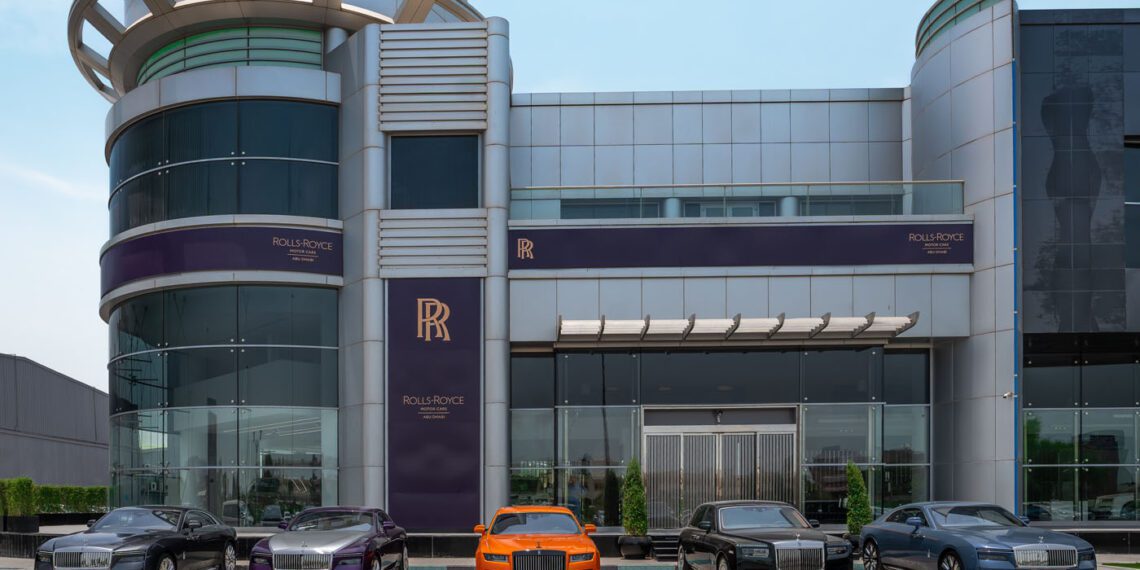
<point>595,495</point>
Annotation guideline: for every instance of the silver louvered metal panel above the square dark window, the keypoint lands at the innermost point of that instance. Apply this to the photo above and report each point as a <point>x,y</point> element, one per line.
<point>434,78</point>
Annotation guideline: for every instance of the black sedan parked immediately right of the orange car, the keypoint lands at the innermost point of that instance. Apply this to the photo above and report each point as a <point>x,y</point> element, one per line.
<point>750,535</point>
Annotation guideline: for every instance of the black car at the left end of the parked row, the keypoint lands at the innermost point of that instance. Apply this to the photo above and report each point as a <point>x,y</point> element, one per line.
<point>145,539</point>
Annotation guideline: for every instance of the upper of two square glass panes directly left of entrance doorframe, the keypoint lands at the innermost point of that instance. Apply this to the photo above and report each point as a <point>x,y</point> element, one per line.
<point>598,436</point>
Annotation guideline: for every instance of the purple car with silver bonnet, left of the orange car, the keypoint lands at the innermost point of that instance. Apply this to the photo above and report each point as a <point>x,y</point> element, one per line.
<point>335,538</point>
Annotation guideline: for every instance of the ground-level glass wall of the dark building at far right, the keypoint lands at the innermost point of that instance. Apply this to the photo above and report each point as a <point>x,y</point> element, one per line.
<point>1080,409</point>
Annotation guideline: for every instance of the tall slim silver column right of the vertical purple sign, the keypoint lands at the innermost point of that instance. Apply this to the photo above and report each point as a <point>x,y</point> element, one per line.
<point>498,201</point>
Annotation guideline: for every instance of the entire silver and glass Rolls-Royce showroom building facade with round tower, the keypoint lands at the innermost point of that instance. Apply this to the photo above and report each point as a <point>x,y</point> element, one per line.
<point>348,265</point>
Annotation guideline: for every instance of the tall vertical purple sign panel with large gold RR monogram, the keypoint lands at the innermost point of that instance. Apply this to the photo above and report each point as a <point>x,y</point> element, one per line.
<point>435,333</point>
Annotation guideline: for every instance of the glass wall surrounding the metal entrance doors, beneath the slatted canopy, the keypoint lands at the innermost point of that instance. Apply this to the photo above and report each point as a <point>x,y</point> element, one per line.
<point>576,419</point>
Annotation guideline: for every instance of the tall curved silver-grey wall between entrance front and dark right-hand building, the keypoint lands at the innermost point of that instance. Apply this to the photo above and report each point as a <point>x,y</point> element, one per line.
<point>963,128</point>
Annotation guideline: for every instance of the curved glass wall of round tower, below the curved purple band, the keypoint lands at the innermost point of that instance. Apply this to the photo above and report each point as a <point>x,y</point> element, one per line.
<point>225,398</point>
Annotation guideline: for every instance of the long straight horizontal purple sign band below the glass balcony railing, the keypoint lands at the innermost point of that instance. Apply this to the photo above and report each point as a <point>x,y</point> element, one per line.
<point>868,245</point>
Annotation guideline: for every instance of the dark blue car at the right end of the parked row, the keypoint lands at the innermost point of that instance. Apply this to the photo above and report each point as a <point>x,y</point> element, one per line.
<point>965,536</point>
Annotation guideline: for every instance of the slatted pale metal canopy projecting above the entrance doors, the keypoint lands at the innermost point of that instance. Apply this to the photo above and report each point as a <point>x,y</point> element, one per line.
<point>826,328</point>
